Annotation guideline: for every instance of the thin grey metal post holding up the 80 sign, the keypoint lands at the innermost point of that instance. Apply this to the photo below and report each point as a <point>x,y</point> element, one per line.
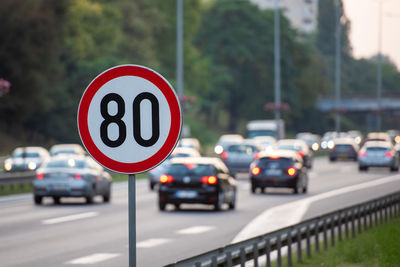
<point>132,219</point>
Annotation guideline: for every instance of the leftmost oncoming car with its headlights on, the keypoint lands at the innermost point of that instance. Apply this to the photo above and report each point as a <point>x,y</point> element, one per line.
<point>26,159</point>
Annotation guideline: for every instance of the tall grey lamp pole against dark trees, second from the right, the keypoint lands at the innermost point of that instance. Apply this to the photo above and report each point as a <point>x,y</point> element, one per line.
<point>338,64</point>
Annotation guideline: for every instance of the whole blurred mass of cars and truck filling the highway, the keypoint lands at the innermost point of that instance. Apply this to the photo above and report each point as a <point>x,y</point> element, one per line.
<point>191,174</point>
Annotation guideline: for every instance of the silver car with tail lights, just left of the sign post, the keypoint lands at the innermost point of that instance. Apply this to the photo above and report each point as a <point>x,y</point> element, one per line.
<point>71,176</point>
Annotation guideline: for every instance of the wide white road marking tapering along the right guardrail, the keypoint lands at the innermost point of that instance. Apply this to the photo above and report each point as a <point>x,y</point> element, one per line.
<point>291,213</point>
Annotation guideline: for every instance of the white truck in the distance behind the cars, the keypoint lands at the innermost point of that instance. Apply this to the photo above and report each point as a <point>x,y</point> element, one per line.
<point>266,128</point>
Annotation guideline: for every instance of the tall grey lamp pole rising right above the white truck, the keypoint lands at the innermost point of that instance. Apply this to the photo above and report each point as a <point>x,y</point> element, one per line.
<point>277,67</point>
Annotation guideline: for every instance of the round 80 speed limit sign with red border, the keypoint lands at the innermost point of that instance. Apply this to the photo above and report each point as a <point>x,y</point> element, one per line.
<point>129,119</point>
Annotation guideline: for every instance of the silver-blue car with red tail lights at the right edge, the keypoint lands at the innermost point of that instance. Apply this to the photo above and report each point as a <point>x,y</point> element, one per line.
<point>378,154</point>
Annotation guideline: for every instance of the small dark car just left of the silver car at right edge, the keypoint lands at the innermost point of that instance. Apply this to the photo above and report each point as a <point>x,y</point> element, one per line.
<point>344,148</point>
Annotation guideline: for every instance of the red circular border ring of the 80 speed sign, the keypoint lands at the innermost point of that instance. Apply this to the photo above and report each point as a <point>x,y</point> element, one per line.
<point>176,118</point>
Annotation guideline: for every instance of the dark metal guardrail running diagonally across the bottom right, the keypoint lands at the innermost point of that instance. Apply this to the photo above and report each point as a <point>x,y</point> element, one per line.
<point>294,239</point>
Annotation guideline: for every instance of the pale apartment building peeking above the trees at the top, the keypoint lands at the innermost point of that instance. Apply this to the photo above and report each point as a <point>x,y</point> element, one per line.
<point>302,14</point>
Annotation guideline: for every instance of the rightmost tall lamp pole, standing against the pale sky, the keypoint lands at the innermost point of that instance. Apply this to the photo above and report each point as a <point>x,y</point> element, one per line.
<point>379,78</point>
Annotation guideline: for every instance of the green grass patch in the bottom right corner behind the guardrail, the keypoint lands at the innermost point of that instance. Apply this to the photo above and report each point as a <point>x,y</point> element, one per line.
<point>379,246</point>
